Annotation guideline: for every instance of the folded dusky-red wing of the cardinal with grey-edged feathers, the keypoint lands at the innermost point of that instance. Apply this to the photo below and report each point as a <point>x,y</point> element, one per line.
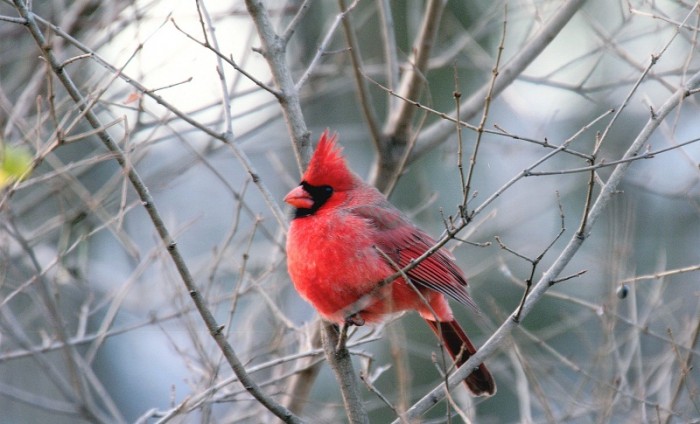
<point>403,242</point>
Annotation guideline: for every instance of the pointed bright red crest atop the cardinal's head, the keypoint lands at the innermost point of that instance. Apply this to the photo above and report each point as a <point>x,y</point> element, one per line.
<point>328,166</point>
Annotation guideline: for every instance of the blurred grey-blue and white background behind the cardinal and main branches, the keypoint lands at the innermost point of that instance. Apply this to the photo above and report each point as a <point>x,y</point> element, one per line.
<point>97,326</point>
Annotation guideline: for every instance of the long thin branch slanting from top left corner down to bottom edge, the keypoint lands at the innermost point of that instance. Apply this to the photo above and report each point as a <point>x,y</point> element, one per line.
<point>168,242</point>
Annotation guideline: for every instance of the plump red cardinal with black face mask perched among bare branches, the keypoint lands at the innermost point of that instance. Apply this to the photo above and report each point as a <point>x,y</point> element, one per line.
<point>346,238</point>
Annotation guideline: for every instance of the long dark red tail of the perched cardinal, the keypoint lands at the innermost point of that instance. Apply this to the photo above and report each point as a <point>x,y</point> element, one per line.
<point>480,382</point>
